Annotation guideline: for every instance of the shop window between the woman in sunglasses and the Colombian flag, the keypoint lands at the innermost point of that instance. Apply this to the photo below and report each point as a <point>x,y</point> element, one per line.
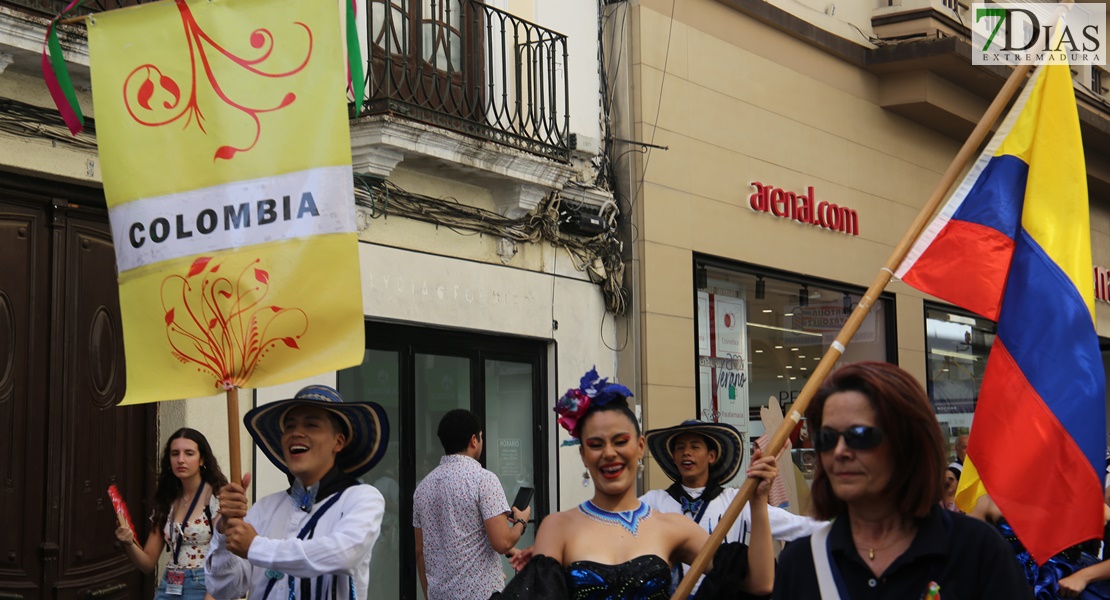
<point>957,345</point>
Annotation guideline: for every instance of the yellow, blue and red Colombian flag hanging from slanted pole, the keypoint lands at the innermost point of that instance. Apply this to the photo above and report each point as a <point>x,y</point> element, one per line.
<point>1013,245</point>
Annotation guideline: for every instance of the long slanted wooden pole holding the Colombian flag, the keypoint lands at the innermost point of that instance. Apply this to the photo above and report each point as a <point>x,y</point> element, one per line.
<point>779,441</point>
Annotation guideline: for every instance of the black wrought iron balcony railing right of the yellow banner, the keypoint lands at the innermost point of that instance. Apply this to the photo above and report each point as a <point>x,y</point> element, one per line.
<point>471,68</point>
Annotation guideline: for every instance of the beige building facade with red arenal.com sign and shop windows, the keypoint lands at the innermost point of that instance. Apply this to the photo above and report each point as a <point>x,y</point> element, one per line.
<point>849,110</point>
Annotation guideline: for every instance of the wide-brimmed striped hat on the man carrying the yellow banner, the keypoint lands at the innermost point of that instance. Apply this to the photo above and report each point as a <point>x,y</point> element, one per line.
<point>368,430</point>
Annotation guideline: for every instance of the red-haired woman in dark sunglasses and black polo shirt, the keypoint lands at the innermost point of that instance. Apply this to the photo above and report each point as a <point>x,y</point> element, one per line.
<point>881,479</point>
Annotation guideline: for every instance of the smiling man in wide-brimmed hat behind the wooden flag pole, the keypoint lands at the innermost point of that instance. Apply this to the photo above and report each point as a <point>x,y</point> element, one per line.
<point>700,459</point>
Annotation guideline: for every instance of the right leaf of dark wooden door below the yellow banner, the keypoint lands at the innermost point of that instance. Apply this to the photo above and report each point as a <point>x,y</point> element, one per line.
<point>104,445</point>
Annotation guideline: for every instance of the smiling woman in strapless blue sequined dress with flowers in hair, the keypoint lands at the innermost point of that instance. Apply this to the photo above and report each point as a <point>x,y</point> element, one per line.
<point>613,546</point>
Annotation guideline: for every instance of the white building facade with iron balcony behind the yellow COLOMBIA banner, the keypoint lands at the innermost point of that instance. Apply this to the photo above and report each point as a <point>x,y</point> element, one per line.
<point>491,273</point>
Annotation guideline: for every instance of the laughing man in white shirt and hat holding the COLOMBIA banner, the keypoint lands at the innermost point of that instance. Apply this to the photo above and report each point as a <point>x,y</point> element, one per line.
<point>315,540</point>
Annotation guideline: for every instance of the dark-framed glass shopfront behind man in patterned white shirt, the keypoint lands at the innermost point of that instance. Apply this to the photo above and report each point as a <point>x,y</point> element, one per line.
<point>420,374</point>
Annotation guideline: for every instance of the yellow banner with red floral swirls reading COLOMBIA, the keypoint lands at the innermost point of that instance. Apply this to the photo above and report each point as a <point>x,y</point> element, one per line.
<point>227,158</point>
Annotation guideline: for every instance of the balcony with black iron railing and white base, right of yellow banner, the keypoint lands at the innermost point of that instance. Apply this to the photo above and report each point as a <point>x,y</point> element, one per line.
<point>457,87</point>
